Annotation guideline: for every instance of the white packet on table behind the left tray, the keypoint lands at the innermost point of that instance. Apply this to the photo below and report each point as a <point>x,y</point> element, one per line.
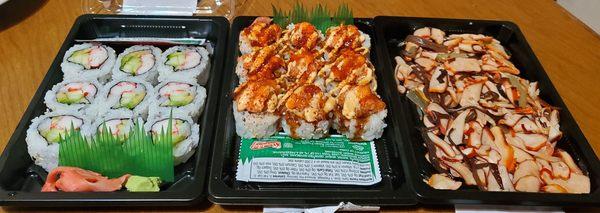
<point>159,7</point>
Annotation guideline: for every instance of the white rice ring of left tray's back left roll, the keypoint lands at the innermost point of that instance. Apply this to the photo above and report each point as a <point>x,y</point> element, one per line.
<point>74,70</point>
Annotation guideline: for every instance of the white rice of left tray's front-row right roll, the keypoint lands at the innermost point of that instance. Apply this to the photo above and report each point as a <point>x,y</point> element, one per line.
<point>183,150</point>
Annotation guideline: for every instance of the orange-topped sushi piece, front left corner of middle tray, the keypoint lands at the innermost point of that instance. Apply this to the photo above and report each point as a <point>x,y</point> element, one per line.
<point>254,108</point>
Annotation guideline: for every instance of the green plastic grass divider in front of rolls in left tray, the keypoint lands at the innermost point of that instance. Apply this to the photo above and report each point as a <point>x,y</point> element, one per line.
<point>139,154</point>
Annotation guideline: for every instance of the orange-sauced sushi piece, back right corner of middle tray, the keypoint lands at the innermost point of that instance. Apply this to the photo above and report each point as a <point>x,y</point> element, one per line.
<point>344,37</point>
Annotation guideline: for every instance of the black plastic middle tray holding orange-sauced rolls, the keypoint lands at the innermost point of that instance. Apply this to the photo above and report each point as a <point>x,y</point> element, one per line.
<point>224,189</point>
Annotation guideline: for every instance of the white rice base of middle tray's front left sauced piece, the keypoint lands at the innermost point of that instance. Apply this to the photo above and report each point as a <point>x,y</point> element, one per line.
<point>255,125</point>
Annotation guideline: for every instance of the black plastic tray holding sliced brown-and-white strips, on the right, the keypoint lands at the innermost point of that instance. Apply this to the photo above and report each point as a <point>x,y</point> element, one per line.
<point>390,30</point>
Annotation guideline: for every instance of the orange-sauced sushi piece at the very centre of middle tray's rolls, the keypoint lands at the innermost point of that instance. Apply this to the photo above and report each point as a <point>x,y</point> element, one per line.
<point>303,68</point>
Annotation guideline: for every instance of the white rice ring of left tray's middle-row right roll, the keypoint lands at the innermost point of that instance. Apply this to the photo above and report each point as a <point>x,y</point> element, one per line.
<point>193,109</point>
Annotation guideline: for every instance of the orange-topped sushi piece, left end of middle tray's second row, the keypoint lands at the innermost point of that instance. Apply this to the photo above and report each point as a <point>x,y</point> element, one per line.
<point>263,63</point>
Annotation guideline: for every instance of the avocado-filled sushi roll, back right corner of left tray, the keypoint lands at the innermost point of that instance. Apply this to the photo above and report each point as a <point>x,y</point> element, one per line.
<point>185,62</point>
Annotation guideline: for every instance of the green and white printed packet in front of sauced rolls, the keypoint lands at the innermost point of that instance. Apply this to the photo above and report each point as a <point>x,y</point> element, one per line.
<point>332,160</point>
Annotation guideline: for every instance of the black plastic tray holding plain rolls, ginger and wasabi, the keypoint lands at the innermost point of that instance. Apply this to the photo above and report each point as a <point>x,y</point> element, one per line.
<point>21,180</point>
